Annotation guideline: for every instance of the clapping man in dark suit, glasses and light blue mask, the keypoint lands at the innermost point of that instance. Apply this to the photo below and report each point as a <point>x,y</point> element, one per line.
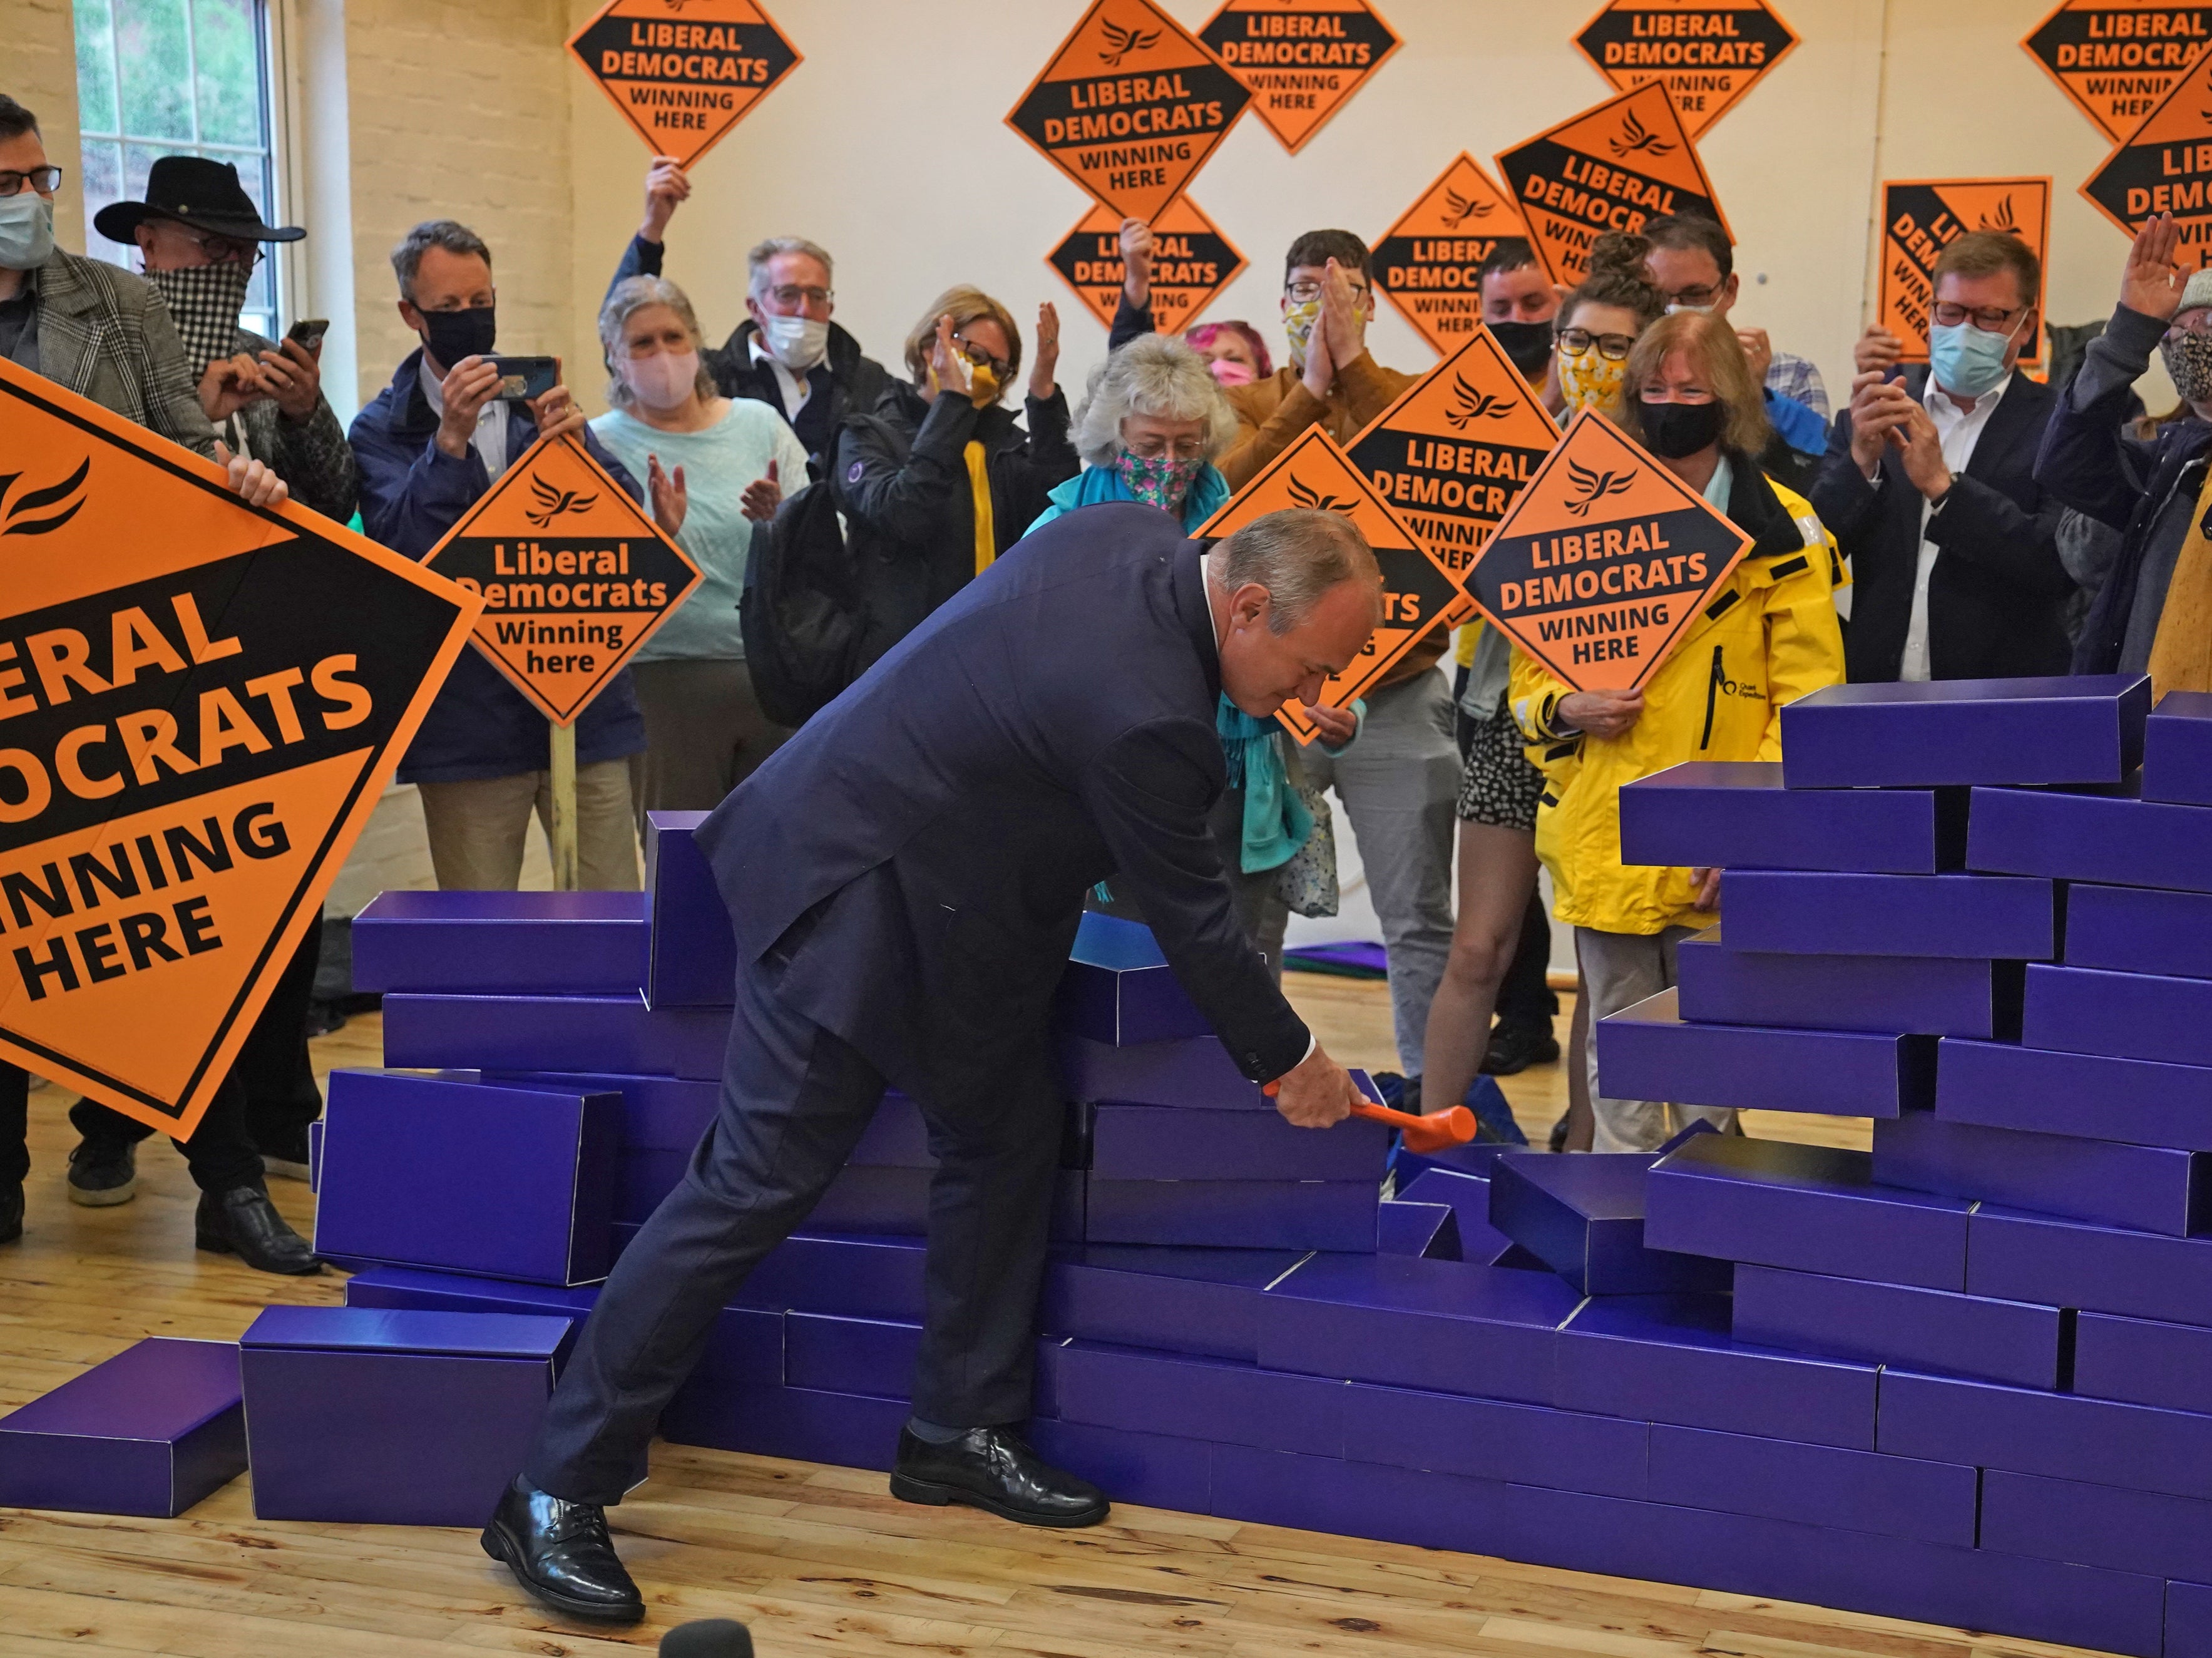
<point>1930,487</point>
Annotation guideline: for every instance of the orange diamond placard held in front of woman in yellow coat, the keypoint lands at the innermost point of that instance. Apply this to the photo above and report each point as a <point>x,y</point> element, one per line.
<point>1605,560</point>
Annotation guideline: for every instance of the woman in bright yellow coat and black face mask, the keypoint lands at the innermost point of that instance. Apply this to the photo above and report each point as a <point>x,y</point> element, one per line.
<point>1766,638</point>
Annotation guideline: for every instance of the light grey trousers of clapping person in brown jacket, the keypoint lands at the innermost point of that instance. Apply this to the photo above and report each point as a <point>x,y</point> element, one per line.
<point>1399,784</point>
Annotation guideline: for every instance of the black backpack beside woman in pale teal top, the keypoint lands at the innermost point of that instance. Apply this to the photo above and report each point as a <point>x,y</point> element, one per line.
<point>802,613</point>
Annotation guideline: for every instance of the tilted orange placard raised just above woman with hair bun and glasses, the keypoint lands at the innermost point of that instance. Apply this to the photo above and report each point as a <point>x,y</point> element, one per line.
<point>1609,169</point>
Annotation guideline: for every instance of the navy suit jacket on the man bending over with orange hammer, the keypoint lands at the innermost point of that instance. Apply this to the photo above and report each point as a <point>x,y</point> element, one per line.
<point>915,861</point>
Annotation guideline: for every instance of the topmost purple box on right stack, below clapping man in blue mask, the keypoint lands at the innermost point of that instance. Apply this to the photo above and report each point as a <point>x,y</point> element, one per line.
<point>1919,735</point>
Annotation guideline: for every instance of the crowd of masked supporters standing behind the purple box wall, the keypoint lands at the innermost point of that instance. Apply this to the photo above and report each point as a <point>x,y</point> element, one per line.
<point>1950,521</point>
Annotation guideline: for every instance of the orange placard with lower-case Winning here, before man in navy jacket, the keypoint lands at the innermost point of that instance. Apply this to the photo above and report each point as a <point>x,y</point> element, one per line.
<point>572,574</point>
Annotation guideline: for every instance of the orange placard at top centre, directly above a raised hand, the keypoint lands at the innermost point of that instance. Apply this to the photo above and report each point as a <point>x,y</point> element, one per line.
<point>1131,107</point>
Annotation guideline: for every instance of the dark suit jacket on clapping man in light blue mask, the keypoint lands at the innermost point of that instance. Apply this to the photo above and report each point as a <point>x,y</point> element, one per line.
<point>1999,591</point>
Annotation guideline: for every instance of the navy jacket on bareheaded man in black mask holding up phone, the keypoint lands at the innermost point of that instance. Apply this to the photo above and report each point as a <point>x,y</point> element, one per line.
<point>410,496</point>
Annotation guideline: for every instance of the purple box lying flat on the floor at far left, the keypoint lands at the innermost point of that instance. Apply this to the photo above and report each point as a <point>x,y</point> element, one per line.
<point>149,1431</point>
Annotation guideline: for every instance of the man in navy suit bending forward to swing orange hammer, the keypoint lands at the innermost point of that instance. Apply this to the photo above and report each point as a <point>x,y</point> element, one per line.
<point>906,879</point>
